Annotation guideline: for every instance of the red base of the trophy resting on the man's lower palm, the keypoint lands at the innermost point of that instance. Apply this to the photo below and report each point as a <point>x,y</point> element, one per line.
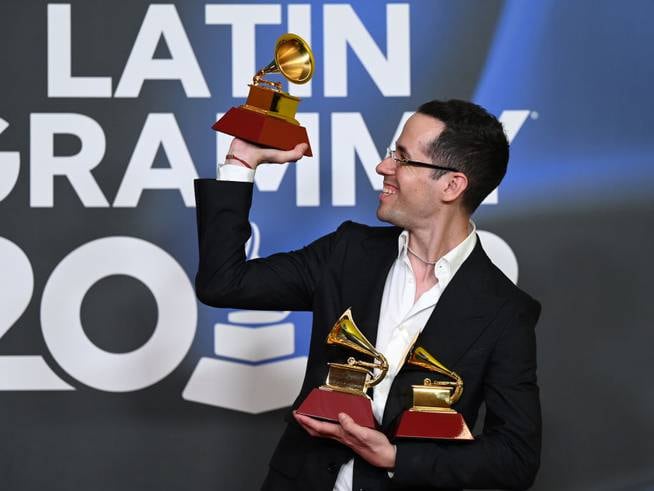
<point>326,404</point>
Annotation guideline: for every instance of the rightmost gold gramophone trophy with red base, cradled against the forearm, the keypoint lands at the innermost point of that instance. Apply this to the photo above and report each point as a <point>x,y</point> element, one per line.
<point>432,415</point>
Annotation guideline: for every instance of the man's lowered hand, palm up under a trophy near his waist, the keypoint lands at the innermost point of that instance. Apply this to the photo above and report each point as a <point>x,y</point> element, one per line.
<point>371,445</point>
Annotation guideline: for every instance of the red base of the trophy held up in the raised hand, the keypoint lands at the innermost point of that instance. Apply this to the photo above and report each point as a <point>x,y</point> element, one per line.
<point>267,131</point>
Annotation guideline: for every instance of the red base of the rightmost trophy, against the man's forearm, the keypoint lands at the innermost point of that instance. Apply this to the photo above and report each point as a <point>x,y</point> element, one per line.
<point>425,424</point>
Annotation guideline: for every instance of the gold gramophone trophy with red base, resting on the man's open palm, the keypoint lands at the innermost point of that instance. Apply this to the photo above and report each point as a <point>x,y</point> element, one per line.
<point>347,383</point>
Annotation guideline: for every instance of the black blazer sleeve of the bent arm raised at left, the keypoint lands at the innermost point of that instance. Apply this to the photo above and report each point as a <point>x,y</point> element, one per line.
<point>226,279</point>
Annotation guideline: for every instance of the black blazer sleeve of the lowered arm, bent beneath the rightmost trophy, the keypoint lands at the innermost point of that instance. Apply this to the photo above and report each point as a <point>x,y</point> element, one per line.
<point>507,454</point>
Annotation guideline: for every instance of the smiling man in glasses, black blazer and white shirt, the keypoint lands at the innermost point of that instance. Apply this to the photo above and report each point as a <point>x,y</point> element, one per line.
<point>426,281</point>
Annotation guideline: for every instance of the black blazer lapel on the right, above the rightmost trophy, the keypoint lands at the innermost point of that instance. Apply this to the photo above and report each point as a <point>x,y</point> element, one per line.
<point>463,311</point>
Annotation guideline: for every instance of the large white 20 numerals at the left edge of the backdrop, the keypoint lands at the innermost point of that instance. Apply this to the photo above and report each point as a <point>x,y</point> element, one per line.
<point>61,323</point>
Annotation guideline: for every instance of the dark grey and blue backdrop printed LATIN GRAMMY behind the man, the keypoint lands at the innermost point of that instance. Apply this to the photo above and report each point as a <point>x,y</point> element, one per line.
<point>114,377</point>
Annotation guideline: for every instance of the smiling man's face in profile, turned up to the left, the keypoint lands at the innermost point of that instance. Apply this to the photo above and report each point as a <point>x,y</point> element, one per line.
<point>411,197</point>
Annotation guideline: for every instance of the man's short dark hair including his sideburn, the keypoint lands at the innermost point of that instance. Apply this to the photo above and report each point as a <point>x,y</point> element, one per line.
<point>473,142</point>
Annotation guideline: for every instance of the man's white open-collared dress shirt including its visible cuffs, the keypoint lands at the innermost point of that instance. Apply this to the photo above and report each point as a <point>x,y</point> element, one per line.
<point>401,319</point>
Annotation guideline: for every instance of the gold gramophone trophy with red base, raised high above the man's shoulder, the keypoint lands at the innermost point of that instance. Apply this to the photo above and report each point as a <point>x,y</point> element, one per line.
<point>268,116</point>
